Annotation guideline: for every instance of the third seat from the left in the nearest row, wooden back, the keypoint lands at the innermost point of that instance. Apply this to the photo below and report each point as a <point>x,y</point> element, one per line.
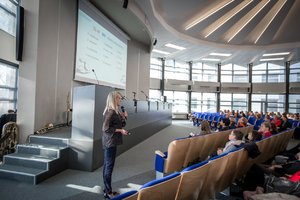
<point>192,180</point>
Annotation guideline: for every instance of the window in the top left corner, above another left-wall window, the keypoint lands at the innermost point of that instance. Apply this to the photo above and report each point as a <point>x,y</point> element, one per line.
<point>8,16</point>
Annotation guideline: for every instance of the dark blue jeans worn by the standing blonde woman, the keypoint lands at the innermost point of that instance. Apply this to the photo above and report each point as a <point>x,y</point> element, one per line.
<point>108,166</point>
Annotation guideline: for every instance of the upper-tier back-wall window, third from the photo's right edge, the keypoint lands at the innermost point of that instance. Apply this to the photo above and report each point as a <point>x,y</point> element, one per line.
<point>234,73</point>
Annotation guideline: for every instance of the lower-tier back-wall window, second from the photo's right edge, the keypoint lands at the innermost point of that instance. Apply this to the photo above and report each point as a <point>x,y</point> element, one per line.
<point>268,102</point>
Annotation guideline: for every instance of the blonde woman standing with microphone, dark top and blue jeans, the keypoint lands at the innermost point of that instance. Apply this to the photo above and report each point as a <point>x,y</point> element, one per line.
<point>112,130</point>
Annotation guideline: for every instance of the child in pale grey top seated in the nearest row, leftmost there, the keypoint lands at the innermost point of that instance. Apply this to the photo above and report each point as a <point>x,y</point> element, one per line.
<point>235,141</point>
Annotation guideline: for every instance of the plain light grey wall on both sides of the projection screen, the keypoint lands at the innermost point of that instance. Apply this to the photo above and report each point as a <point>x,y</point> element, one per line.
<point>46,72</point>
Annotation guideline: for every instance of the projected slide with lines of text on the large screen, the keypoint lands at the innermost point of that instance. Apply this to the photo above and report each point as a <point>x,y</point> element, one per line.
<point>101,57</point>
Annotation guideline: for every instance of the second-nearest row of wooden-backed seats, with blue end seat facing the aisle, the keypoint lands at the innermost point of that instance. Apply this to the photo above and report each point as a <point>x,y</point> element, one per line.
<point>184,151</point>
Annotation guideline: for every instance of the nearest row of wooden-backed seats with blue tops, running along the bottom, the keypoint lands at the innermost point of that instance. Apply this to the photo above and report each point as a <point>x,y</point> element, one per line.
<point>203,180</point>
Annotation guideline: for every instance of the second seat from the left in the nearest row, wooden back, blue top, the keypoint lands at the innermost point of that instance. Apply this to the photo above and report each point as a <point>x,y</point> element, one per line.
<point>161,189</point>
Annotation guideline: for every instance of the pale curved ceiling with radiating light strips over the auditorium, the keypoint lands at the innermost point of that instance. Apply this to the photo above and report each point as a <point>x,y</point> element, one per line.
<point>275,27</point>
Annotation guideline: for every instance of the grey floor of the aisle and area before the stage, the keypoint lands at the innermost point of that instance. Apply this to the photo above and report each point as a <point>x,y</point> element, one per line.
<point>132,169</point>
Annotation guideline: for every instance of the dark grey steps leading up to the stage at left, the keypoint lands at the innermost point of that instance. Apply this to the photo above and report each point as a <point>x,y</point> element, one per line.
<point>35,162</point>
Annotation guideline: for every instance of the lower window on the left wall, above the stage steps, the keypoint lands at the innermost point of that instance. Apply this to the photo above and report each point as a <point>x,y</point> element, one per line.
<point>8,87</point>
